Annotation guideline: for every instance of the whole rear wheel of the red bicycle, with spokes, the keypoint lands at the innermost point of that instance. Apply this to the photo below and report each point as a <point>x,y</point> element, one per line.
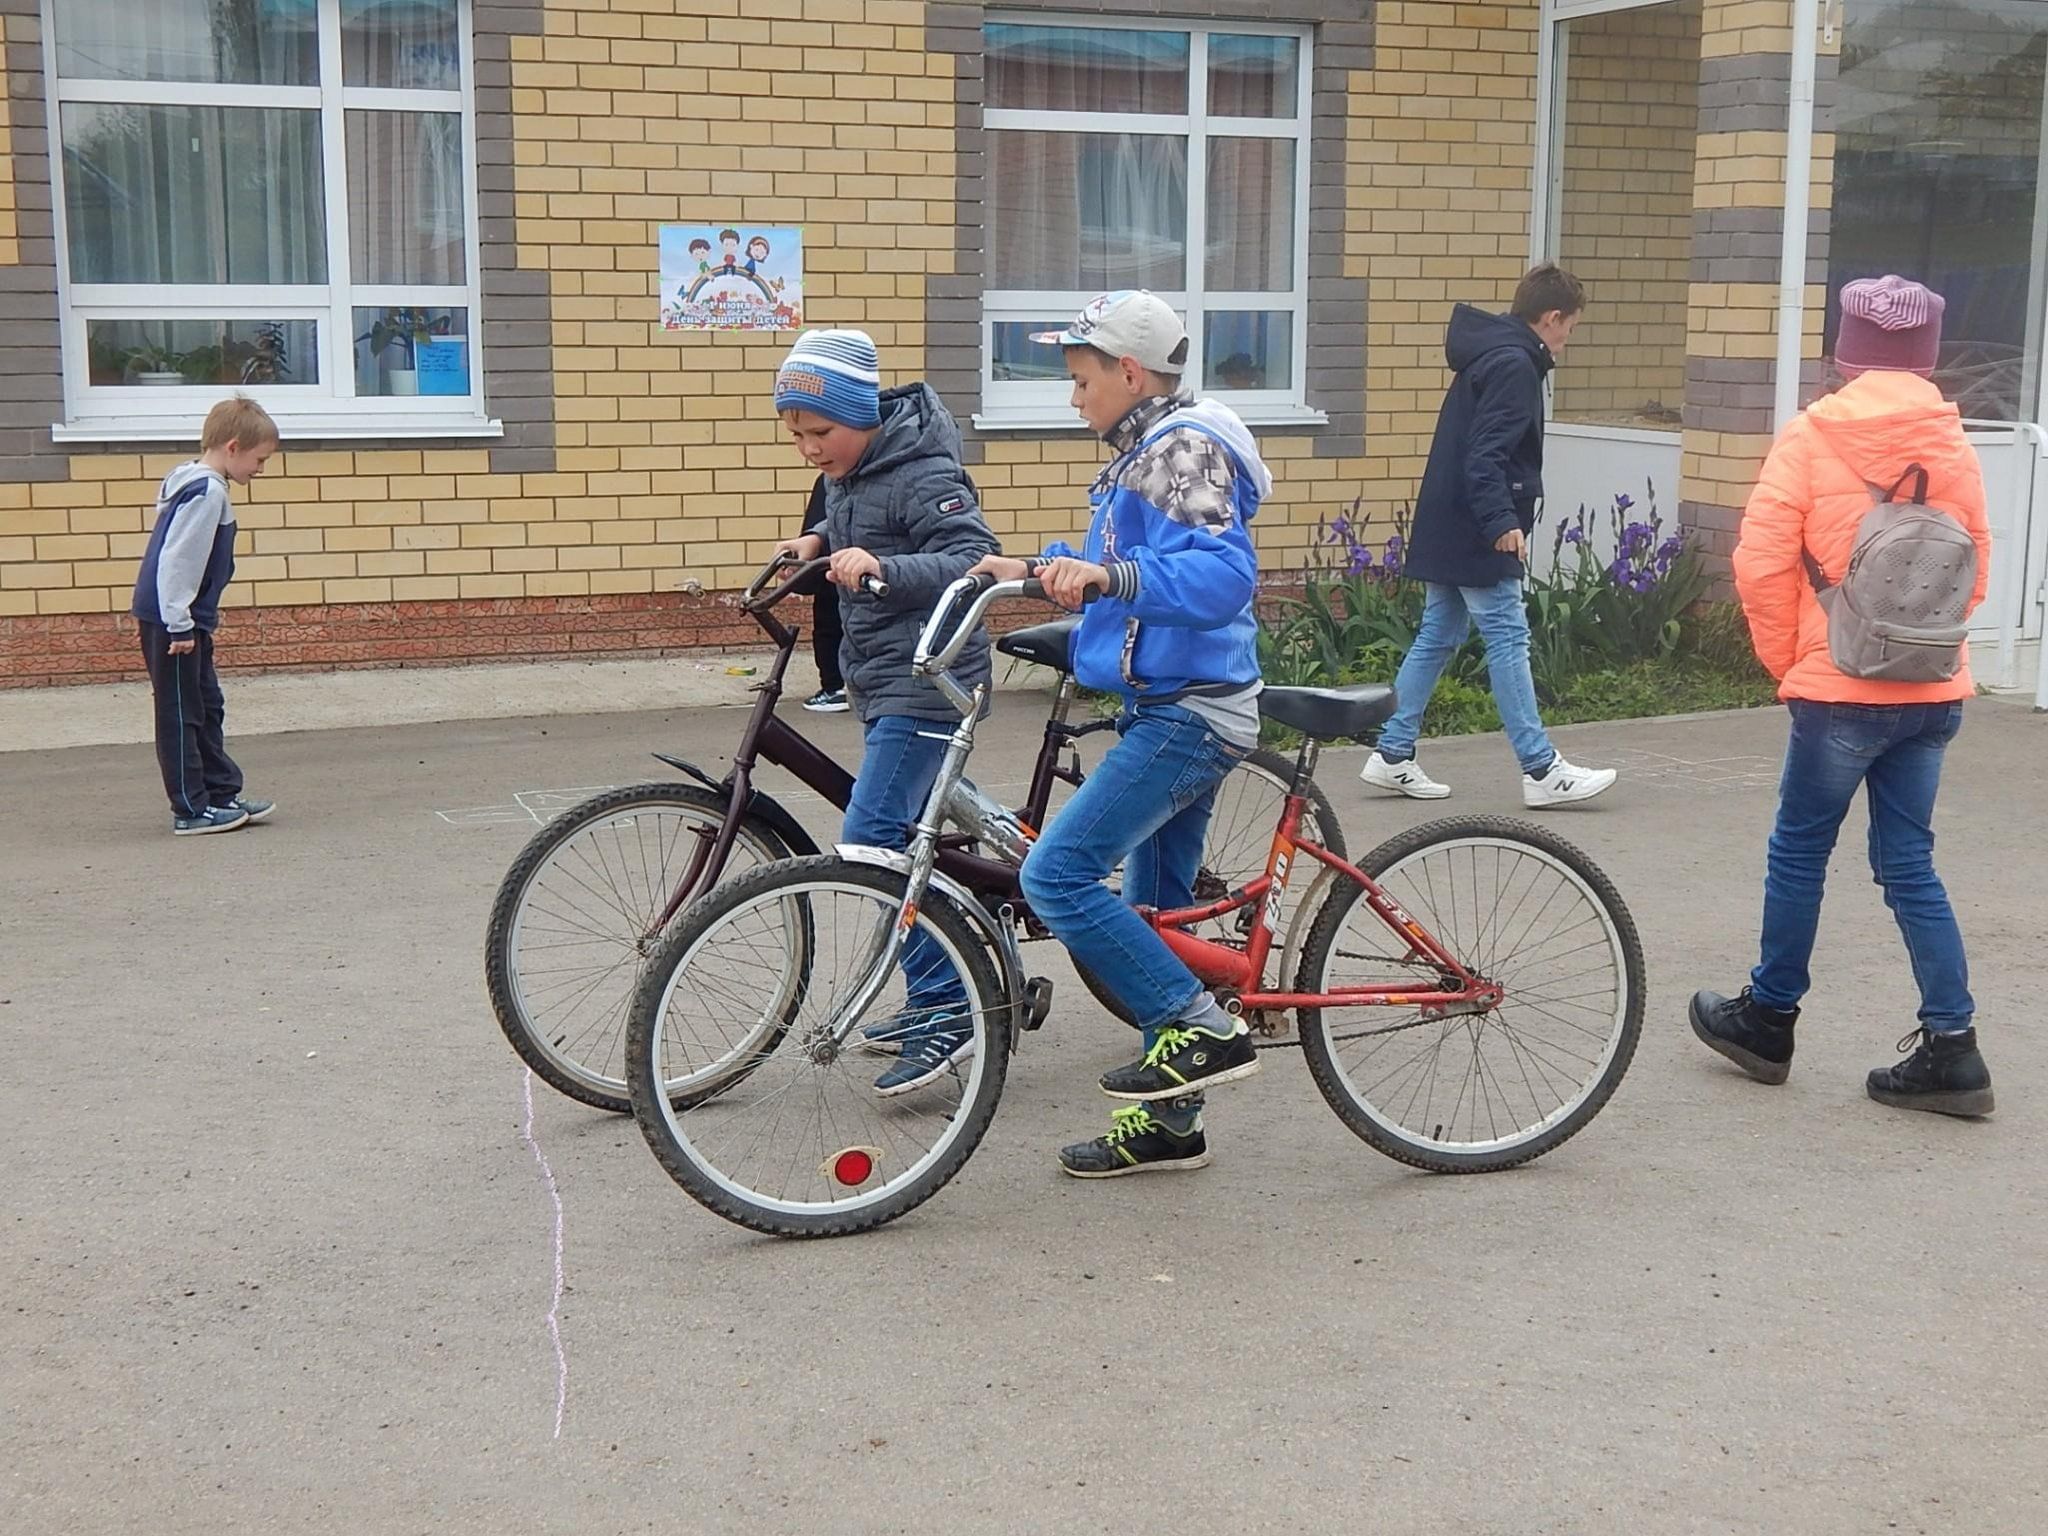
<point>1488,1089</point>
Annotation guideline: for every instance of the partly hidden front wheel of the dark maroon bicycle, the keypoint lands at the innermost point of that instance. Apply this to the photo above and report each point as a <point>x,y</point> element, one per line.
<point>574,919</point>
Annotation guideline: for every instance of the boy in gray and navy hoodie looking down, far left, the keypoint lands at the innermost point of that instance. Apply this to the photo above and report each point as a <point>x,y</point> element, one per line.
<point>185,568</point>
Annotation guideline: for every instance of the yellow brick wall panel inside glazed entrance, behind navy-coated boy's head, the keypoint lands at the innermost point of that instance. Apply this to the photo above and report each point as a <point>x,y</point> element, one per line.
<point>1625,218</point>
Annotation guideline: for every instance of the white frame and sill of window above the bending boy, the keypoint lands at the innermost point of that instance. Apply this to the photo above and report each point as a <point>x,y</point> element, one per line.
<point>331,409</point>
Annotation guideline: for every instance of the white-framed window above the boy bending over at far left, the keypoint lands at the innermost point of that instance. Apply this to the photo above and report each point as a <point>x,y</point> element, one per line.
<point>273,198</point>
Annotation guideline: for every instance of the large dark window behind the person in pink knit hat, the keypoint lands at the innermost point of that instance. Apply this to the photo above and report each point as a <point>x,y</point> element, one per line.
<point>1938,169</point>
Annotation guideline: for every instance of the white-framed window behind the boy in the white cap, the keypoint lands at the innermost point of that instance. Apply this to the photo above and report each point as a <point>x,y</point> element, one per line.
<point>1134,157</point>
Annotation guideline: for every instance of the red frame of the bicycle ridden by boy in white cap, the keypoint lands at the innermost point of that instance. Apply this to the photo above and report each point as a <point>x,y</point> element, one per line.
<point>1244,970</point>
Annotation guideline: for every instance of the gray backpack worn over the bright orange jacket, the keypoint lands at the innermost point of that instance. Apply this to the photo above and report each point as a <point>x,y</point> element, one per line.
<point>1900,611</point>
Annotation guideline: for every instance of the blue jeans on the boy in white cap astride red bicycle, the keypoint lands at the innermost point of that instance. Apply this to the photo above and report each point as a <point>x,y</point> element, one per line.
<point>1148,808</point>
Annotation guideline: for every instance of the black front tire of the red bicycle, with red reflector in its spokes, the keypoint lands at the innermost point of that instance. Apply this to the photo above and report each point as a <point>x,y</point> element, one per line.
<point>667,1123</point>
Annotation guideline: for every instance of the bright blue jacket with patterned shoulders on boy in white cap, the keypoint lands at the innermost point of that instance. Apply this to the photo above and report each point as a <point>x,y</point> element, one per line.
<point>1170,523</point>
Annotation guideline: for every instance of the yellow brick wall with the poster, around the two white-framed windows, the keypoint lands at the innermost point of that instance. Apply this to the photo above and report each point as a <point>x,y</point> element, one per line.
<point>671,460</point>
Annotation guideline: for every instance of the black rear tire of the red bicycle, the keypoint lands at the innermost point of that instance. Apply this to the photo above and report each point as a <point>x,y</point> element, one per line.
<point>1627,951</point>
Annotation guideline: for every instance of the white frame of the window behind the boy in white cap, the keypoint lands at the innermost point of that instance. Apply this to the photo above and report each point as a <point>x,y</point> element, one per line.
<point>1023,407</point>
